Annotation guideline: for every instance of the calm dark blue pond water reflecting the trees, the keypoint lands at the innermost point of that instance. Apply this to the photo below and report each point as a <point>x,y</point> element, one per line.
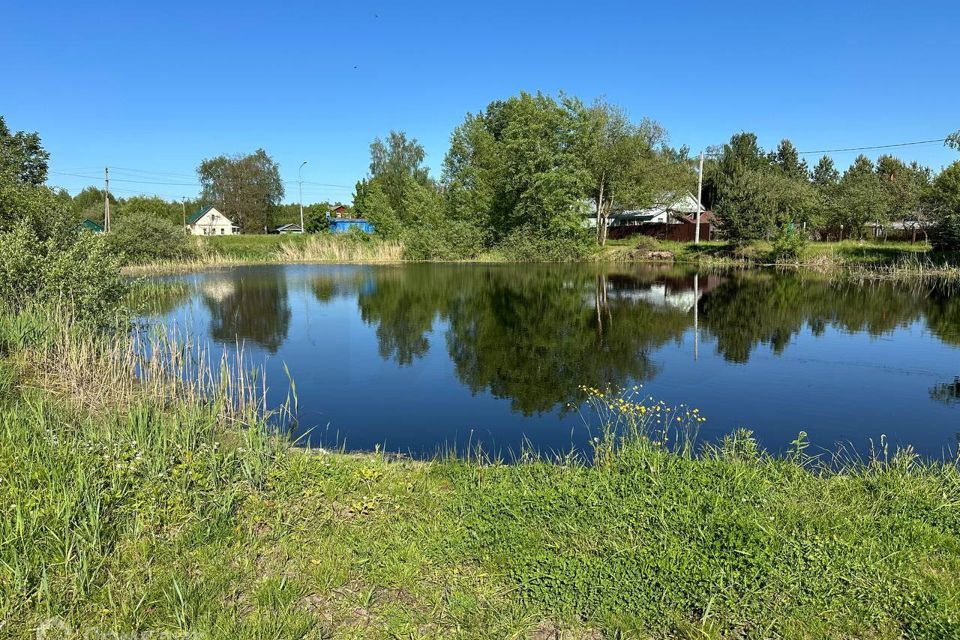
<point>417,358</point>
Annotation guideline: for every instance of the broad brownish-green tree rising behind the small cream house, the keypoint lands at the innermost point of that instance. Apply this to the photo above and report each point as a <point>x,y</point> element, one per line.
<point>246,188</point>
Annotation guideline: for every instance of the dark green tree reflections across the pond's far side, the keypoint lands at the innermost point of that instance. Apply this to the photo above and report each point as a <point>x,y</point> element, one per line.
<point>536,333</point>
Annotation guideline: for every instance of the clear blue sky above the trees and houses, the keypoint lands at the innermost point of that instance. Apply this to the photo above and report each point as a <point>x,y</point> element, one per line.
<point>150,89</point>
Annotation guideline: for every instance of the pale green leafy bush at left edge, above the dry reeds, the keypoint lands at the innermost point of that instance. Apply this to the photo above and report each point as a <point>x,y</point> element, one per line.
<point>81,275</point>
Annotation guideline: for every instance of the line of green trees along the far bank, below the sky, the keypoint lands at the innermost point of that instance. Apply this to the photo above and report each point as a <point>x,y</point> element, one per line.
<point>527,174</point>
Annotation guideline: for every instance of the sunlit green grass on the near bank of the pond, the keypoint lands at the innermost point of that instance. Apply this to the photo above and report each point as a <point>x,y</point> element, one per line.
<point>148,514</point>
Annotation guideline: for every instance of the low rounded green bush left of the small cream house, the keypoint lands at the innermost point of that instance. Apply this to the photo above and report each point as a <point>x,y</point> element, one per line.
<point>141,237</point>
